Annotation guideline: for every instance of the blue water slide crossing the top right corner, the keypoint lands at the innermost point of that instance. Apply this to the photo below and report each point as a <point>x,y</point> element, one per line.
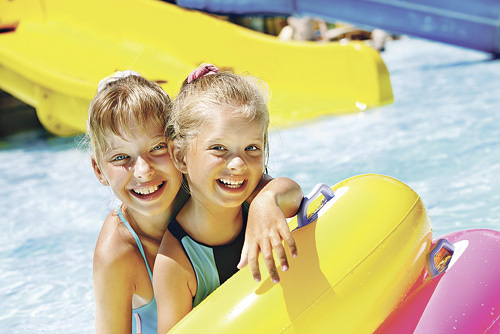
<point>473,24</point>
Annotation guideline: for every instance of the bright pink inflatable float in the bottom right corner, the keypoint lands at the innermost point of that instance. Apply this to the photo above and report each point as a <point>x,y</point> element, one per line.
<point>464,298</point>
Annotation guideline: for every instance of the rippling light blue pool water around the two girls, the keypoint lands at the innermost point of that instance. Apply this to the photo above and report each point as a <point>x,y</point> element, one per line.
<point>441,136</point>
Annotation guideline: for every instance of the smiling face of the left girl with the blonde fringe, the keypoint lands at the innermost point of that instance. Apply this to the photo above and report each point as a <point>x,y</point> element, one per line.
<point>140,171</point>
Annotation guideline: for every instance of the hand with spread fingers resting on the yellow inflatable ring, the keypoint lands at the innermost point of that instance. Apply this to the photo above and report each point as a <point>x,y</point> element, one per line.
<point>267,228</point>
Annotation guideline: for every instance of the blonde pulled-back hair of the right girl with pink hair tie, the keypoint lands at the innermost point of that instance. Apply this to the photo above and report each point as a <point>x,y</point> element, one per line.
<point>224,91</point>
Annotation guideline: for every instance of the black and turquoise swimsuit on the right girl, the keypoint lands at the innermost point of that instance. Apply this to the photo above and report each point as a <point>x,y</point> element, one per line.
<point>213,265</point>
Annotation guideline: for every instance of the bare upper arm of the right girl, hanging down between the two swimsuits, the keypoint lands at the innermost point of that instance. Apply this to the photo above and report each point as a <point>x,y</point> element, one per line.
<point>172,284</point>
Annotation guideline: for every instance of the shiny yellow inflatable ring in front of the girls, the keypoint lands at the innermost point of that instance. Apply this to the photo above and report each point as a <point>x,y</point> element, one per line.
<point>357,260</point>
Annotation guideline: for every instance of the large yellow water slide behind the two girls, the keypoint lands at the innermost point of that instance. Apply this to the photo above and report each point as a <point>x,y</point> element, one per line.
<point>54,52</point>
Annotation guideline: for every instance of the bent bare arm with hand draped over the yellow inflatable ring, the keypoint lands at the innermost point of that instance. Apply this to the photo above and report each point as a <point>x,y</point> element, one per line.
<point>273,201</point>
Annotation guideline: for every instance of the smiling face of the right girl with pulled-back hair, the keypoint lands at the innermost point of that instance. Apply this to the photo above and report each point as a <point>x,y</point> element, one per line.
<point>224,163</point>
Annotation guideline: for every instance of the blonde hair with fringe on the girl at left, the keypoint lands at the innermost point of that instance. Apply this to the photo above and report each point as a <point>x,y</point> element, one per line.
<point>122,101</point>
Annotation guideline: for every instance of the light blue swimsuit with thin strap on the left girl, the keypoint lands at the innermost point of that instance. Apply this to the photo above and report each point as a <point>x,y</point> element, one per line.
<point>144,318</point>
